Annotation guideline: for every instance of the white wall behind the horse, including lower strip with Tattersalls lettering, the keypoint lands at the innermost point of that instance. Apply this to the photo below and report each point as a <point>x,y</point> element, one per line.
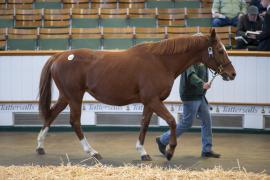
<point>19,80</point>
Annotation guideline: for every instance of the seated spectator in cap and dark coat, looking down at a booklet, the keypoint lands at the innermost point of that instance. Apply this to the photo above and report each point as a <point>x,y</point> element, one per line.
<point>248,22</point>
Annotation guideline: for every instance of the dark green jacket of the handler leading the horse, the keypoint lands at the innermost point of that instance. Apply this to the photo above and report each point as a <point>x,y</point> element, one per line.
<point>191,84</point>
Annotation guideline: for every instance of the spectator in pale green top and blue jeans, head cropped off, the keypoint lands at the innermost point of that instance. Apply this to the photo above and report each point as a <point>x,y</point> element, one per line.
<point>227,12</point>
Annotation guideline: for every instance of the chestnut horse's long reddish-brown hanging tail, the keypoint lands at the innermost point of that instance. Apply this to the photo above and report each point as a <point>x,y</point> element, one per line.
<point>45,93</point>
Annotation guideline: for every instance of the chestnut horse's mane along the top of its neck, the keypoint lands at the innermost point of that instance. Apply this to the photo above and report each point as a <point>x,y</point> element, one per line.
<point>174,45</point>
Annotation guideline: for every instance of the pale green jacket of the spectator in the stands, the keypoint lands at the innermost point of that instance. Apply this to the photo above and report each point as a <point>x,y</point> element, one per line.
<point>229,8</point>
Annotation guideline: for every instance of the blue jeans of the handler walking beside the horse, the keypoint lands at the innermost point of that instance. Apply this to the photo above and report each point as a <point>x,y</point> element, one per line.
<point>190,110</point>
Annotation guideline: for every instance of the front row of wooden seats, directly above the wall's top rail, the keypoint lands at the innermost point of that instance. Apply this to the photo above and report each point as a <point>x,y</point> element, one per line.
<point>99,37</point>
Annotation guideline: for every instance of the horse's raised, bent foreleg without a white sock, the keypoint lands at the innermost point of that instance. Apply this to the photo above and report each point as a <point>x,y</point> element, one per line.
<point>159,108</point>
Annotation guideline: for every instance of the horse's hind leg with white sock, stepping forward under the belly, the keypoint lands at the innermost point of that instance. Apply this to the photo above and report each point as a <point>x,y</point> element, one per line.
<point>75,116</point>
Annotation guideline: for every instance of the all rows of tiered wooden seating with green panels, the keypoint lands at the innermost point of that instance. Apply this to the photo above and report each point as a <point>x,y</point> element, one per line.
<point>87,24</point>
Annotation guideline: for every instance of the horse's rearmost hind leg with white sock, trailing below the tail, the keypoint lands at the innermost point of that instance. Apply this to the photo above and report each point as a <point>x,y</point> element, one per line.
<point>59,106</point>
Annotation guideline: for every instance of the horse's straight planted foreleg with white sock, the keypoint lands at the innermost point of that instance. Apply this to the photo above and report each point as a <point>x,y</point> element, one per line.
<point>147,114</point>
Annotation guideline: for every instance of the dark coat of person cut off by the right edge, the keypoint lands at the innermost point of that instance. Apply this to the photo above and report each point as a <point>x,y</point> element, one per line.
<point>264,37</point>
